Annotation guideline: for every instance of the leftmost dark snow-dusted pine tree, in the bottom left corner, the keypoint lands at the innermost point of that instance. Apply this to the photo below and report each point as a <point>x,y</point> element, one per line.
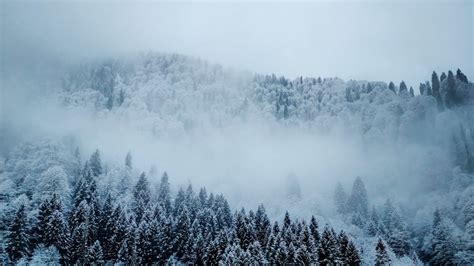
<point>18,245</point>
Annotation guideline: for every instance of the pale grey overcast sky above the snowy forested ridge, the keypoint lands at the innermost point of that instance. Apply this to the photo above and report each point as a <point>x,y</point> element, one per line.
<point>370,40</point>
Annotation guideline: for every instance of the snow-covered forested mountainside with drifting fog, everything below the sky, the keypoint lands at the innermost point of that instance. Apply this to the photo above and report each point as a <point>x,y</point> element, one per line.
<point>371,173</point>
